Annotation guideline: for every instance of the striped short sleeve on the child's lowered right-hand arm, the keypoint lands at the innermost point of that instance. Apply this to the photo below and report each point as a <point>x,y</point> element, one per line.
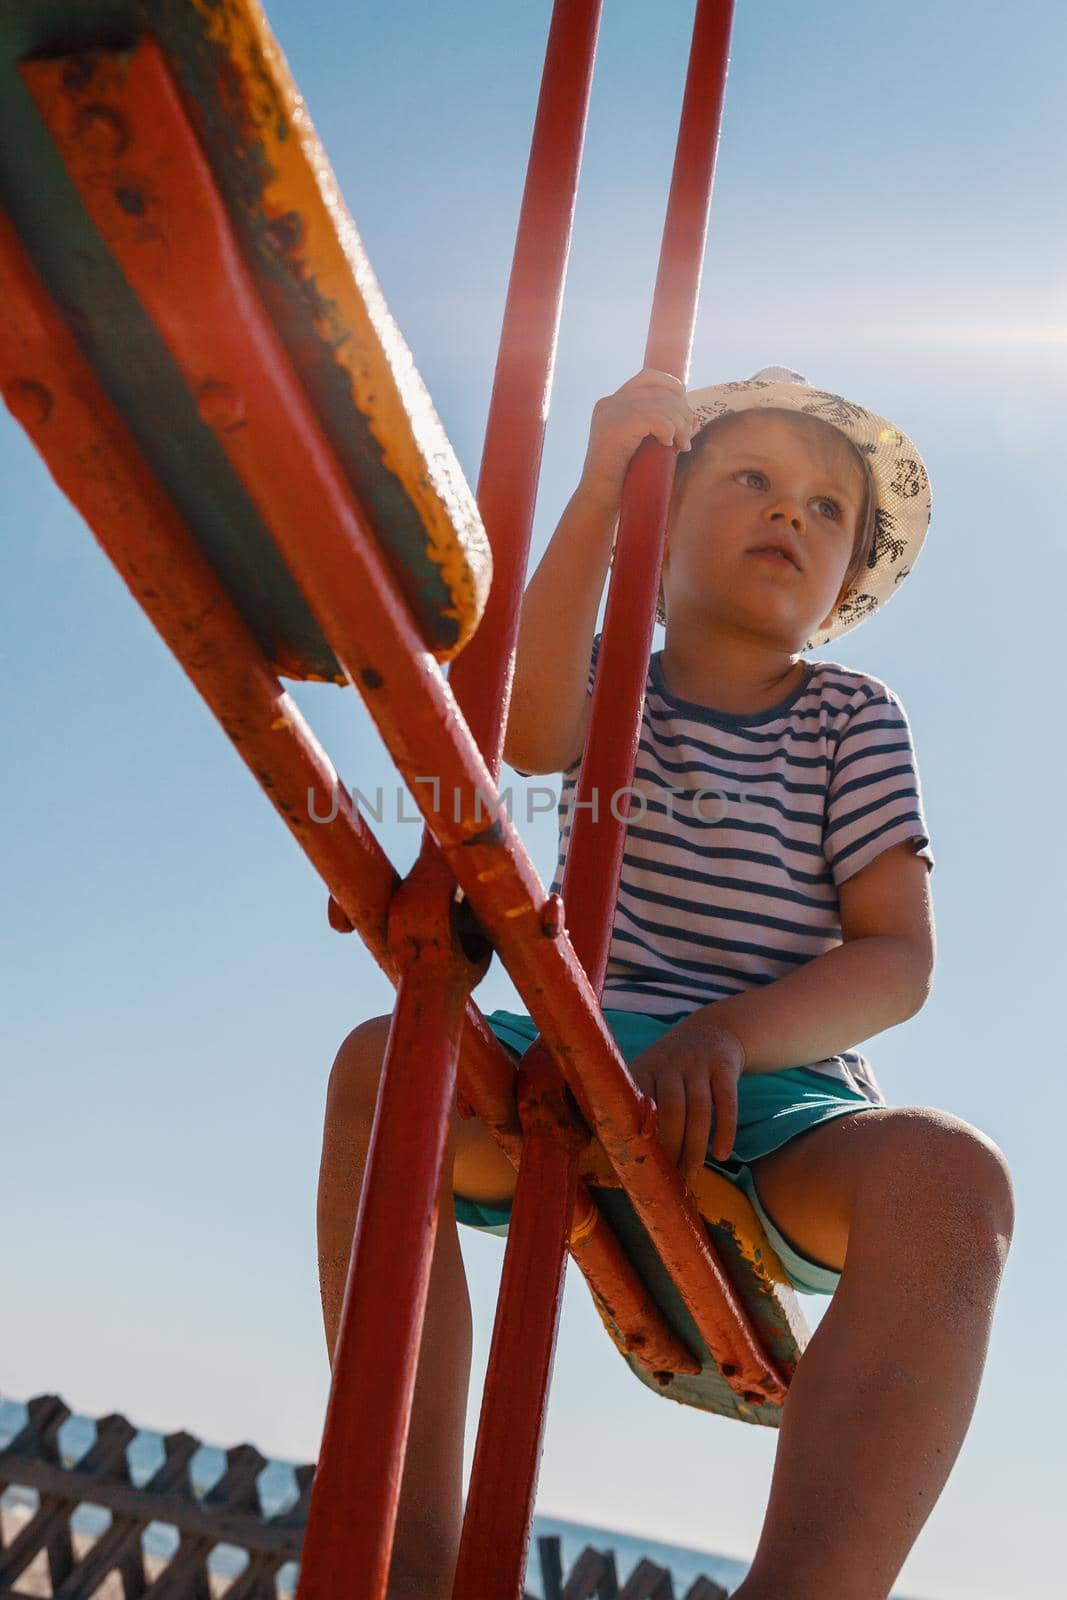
<point>876,796</point>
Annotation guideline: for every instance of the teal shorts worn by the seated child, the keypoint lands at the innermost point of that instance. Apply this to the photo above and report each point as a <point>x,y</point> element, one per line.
<point>773,1108</point>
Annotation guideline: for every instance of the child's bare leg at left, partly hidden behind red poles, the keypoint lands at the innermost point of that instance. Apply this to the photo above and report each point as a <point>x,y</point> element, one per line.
<point>431,1498</point>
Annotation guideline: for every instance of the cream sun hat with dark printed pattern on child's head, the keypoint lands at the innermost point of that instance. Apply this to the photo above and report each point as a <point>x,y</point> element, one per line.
<point>903,500</point>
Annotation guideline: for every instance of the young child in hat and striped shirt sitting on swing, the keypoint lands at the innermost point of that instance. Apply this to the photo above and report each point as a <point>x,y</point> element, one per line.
<point>773,914</point>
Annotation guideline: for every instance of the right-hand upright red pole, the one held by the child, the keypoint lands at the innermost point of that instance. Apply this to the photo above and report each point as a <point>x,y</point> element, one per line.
<point>500,1503</point>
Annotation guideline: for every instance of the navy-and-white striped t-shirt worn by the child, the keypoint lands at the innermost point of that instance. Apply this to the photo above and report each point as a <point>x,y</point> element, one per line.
<point>753,822</point>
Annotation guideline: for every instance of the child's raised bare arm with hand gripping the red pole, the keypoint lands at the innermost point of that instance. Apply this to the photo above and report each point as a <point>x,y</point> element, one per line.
<point>548,718</point>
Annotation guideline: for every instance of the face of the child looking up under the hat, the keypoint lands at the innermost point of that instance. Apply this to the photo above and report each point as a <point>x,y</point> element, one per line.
<point>756,482</point>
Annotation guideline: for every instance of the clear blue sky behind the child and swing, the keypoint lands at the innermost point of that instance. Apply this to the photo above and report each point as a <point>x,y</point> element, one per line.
<point>890,220</point>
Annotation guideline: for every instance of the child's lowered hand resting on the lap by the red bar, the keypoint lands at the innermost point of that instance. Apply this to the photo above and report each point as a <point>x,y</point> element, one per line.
<point>690,1073</point>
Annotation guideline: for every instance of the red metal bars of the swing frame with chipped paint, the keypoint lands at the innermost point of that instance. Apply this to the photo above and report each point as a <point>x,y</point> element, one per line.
<point>473,889</point>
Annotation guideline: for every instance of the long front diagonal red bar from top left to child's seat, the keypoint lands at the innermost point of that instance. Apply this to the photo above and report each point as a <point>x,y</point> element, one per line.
<point>286,465</point>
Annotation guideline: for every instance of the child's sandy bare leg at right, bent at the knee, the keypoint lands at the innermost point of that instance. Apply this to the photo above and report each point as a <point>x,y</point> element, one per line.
<point>917,1207</point>
